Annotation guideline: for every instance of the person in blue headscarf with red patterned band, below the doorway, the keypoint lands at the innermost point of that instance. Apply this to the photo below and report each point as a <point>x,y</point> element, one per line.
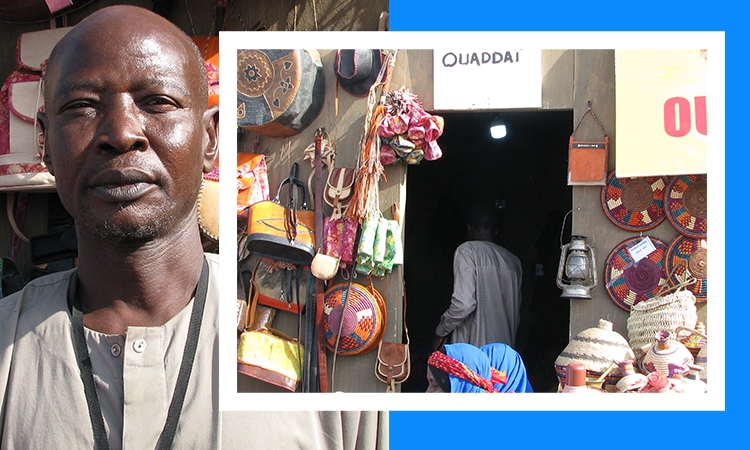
<point>459,368</point>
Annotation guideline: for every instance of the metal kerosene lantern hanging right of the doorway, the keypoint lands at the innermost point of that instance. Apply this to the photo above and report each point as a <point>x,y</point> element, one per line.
<point>576,274</point>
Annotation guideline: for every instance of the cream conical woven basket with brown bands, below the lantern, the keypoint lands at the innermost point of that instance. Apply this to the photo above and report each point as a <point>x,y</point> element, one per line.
<point>596,348</point>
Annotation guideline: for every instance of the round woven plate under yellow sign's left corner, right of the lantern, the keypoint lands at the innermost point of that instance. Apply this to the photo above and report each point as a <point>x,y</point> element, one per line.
<point>634,204</point>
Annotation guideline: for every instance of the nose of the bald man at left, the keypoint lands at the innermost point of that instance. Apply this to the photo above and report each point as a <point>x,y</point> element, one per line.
<point>121,128</point>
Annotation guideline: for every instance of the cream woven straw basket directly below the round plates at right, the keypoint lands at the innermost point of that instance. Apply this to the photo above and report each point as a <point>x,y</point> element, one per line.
<point>667,312</point>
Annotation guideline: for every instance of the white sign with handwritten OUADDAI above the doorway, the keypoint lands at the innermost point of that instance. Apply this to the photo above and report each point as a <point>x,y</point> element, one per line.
<point>487,78</point>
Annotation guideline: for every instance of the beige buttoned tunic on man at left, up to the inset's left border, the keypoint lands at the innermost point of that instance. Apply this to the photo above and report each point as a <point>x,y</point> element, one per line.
<point>42,400</point>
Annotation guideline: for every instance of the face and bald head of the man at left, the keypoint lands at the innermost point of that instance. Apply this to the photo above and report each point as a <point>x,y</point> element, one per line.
<point>127,133</point>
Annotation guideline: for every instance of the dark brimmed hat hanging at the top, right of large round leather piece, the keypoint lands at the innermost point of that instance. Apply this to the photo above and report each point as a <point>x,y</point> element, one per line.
<point>357,70</point>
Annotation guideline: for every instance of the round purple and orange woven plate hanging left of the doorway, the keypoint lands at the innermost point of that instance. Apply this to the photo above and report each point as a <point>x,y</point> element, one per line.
<point>364,318</point>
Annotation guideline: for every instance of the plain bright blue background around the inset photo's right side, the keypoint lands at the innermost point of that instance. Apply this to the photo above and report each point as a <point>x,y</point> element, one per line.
<point>433,430</point>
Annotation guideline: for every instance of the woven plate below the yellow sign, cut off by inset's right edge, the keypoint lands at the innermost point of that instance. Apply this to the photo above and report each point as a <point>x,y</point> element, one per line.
<point>687,205</point>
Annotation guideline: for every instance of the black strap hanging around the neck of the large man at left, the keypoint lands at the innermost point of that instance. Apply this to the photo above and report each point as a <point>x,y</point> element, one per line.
<point>87,376</point>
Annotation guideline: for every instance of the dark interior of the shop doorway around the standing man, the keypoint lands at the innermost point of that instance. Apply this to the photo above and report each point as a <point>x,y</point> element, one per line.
<point>525,176</point>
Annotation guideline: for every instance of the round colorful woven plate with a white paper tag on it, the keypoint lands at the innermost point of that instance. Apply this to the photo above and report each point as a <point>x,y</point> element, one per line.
<point>629,282</point>
